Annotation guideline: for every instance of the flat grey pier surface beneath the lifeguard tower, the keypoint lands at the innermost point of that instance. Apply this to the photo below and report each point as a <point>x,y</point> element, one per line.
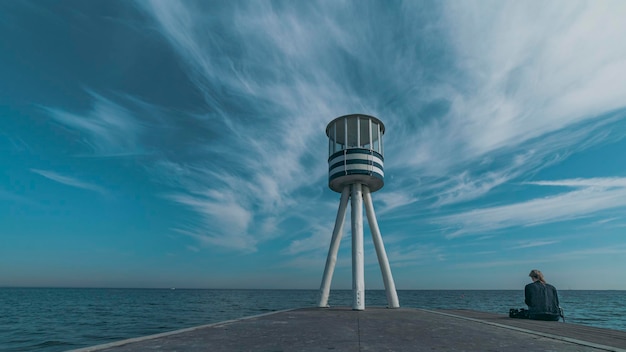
<point>378,329</point>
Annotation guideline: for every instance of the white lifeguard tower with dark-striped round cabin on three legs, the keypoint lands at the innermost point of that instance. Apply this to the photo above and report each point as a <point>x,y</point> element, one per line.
<point>355,169</point>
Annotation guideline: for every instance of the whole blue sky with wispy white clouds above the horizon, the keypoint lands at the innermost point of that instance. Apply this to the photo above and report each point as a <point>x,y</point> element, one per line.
<point>182,143</point>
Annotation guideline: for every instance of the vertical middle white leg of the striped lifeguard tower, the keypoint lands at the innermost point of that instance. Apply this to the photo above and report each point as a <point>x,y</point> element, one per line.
<point>358,276</point>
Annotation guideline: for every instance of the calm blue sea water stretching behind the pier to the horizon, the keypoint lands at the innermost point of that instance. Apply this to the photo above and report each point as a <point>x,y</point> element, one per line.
<point>42,319</point>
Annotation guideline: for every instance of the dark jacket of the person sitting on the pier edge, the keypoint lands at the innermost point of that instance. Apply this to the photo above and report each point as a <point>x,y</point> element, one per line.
<point>542,300</point>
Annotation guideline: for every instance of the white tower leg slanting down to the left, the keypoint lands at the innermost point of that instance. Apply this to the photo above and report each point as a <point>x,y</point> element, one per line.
<point>331,259</point>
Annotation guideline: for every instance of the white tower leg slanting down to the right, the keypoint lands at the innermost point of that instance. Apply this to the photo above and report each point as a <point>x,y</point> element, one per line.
<point>390,286</point>
